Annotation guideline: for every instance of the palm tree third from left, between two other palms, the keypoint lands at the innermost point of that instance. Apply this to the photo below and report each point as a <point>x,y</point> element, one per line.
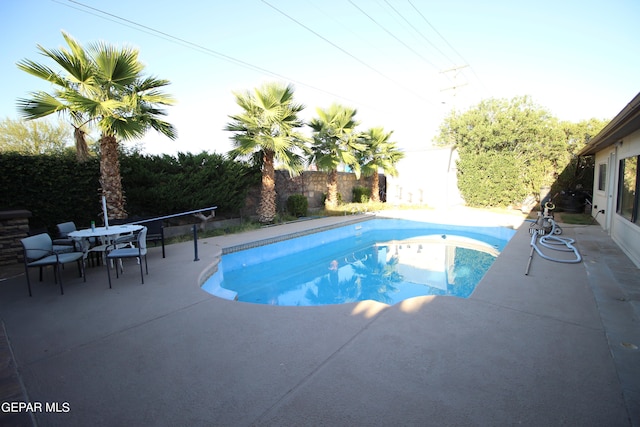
<point>335,142</point>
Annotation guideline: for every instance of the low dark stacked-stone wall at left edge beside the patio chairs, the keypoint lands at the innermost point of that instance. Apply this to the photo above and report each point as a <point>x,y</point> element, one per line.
<point>14,225</point>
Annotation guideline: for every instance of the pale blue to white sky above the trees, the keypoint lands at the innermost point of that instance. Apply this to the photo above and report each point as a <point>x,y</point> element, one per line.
<point>403,64</point>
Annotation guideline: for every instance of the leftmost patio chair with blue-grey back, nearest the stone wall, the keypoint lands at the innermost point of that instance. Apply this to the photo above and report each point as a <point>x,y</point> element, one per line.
<point>39,252</point>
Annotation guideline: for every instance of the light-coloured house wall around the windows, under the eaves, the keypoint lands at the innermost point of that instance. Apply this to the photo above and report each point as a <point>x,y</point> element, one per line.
<point>622,231</point>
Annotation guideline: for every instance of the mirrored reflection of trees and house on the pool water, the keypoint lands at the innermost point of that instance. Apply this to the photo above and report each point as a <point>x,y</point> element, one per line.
<point>388,272</point>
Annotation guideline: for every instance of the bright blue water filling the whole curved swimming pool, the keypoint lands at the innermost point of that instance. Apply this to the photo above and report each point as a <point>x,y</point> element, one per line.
<point>386,260</point>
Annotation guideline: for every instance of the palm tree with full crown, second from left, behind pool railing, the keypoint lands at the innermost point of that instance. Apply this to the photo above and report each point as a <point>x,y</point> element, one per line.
<point>265,131</point>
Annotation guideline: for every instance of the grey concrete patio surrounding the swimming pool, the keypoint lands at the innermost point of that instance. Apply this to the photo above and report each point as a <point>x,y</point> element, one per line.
<point>556,347</point>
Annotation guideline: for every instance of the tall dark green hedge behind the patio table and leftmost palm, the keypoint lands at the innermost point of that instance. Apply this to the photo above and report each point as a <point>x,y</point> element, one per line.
<point>56,188</point>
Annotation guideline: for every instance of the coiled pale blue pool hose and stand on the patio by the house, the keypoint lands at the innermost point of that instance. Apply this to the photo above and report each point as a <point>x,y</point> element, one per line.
<point>545,231</point>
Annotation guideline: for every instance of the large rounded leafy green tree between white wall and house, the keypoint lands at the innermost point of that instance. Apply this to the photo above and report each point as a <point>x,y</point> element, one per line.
<point>516,145</point>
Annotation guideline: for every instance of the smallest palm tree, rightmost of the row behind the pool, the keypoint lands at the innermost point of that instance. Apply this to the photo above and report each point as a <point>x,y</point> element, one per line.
<point>380,153</point>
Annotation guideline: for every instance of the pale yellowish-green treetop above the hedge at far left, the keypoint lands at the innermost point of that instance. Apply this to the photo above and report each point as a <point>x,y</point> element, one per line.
<point>31,138</point>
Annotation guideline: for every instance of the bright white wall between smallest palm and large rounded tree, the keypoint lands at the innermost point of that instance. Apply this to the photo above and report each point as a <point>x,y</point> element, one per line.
<point>426,177</point>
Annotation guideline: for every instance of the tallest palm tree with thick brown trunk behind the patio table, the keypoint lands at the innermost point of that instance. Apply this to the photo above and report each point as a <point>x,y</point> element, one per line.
<point>102,86</point>
